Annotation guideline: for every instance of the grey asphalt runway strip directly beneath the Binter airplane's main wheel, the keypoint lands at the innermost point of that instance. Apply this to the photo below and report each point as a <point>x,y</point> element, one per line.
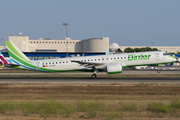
<point>86,80</point>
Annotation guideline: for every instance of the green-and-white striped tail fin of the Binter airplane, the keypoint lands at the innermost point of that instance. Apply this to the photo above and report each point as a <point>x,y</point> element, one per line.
<point>16,54</point>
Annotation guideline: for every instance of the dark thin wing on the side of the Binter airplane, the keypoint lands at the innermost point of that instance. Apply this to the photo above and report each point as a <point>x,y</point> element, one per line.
<point>88,64</point>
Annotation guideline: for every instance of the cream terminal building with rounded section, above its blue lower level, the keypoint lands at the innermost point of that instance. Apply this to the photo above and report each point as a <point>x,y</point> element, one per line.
<point>90,45</point>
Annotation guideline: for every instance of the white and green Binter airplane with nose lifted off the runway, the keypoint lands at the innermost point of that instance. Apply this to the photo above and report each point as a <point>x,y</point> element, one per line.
<point>111,63</point>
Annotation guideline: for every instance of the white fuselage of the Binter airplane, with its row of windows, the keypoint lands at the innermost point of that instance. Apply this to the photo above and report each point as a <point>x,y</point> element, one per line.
<point>126,59</point>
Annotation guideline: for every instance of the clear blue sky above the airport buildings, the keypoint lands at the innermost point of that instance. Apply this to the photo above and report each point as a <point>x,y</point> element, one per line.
<point>126,22</point>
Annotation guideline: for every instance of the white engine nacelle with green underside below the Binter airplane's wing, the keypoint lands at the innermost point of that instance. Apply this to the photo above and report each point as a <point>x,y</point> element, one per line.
<point>113,68</point>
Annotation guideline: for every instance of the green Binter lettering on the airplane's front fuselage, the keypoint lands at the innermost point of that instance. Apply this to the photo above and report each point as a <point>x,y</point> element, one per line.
<point>138,57</point>
